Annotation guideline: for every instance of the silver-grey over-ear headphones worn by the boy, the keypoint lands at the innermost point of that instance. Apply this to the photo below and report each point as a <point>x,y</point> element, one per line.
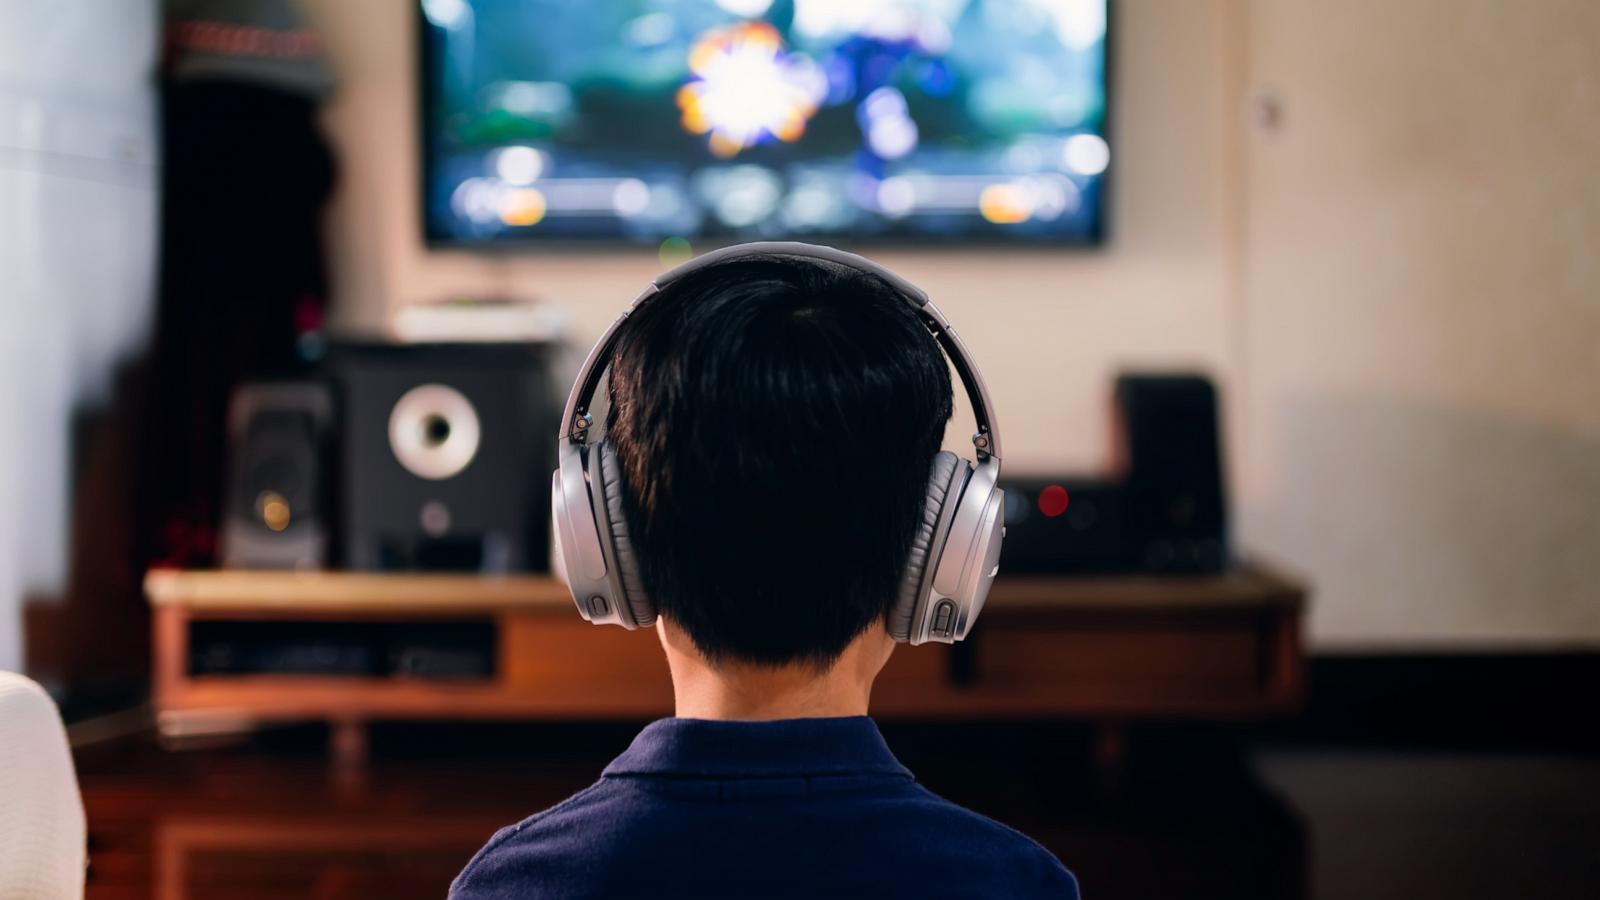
<point>954,556</point>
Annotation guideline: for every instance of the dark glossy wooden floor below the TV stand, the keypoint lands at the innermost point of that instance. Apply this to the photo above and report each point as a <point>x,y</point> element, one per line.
<point>1188,818</point>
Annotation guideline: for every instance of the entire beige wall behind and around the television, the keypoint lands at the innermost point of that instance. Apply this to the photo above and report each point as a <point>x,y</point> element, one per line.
<point>1398,289</point>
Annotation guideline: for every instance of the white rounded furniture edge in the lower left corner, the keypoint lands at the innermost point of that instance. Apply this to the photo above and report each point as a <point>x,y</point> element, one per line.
<point>42,832</point>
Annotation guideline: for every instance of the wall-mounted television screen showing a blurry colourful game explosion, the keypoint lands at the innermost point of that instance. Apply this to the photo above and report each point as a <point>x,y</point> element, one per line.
<point>724,121</point>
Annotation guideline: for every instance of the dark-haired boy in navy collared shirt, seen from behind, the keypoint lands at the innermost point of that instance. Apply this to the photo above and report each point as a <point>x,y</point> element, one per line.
<point>774,425</point>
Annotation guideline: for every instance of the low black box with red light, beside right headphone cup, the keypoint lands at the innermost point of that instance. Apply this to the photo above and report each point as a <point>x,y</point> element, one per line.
<point>1065,526</point>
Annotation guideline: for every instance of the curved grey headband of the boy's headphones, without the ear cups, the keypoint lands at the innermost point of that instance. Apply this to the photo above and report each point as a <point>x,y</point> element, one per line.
<point>577,420</point>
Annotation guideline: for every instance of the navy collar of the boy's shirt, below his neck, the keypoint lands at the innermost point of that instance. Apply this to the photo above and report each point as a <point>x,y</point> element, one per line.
<point>759,750</point>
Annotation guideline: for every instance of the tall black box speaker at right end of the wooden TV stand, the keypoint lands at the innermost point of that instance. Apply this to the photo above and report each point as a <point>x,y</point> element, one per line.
<point>1177,507</point>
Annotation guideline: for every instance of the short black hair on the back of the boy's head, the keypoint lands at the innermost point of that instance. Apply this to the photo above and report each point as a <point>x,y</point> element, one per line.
<point>775,420</point>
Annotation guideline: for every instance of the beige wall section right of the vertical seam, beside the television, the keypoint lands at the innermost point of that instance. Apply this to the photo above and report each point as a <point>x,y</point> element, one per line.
<point>1423,313</point>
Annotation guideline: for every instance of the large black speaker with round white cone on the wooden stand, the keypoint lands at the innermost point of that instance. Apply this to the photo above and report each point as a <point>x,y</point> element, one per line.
<point>447,457</point>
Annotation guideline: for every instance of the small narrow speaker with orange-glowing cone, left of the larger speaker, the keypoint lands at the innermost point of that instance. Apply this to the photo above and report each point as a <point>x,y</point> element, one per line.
<point>276,510</point>
